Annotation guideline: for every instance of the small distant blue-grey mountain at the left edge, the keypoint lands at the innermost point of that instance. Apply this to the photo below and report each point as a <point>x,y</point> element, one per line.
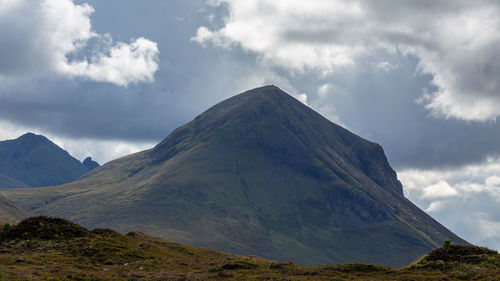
<point>33,160</point>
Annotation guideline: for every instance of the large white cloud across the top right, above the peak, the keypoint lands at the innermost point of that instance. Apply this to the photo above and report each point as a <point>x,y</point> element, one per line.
<point>454,42</point>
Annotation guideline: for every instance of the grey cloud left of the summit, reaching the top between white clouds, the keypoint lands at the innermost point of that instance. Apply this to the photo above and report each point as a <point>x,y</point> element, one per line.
<point>190,80</point>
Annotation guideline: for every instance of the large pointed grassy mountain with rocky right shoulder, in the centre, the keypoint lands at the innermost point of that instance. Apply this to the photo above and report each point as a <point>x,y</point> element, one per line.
<point>259,173</point>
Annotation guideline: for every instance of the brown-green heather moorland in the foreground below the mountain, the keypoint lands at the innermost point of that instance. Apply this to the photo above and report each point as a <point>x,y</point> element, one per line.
<point>43,248</point>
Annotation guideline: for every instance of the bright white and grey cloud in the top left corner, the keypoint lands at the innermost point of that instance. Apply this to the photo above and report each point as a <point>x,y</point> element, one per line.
<point>53,36</point>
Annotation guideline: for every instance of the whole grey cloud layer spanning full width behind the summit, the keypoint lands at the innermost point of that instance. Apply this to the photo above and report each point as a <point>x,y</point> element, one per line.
<point>376,104</point>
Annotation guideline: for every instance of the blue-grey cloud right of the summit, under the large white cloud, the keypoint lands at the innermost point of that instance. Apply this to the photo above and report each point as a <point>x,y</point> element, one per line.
<point>382,107</point>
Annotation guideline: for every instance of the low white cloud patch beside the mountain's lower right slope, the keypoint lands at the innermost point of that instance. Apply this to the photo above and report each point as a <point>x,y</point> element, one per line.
<point>464,199</point>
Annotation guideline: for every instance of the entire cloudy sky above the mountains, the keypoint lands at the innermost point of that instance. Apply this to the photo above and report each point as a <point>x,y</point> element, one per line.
<point>108,78</point>
